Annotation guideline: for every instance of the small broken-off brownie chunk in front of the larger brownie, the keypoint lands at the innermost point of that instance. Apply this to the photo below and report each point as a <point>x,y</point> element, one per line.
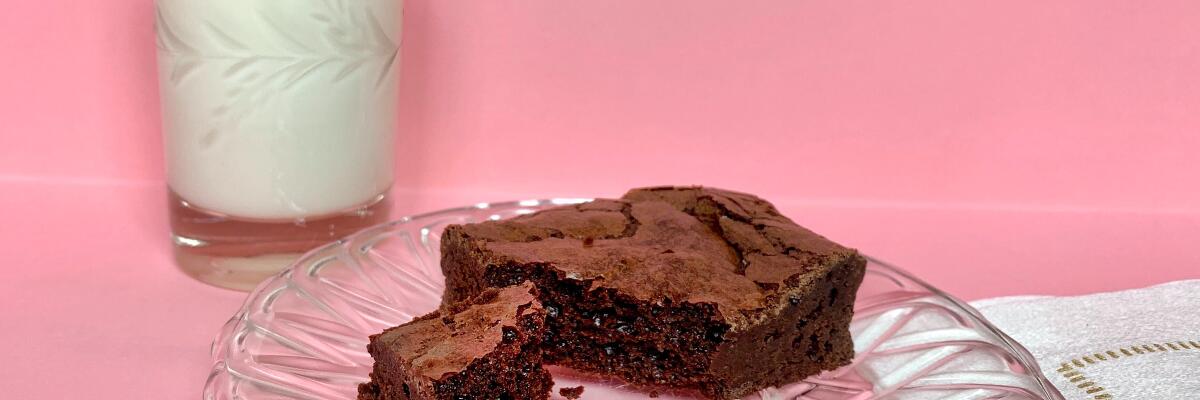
<point>487,348</point>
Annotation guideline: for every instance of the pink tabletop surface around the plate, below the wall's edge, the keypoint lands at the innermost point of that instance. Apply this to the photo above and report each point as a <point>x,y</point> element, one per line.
<point>94,308</point>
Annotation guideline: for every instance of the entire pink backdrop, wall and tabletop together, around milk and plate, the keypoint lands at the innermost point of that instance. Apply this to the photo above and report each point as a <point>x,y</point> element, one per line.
<point>993,147</point>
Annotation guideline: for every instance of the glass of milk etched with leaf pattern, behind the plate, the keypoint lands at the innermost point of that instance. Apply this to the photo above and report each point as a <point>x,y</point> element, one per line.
<point>279,120</point>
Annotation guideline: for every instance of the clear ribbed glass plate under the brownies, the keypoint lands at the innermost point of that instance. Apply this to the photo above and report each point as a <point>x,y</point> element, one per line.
<point>303,335</point>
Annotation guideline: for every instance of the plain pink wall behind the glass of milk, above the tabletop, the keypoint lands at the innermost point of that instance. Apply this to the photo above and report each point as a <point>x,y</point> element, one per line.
<point>1015,104</point>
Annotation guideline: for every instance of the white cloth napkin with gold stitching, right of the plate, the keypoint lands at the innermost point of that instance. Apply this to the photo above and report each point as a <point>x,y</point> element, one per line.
<point>1141,344</point>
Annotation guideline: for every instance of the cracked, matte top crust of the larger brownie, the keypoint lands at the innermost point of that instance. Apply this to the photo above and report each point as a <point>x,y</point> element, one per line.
<point>691,244</point>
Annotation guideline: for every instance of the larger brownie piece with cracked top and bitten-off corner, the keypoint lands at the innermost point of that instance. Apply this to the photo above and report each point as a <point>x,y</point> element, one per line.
<point>683,288</point>
